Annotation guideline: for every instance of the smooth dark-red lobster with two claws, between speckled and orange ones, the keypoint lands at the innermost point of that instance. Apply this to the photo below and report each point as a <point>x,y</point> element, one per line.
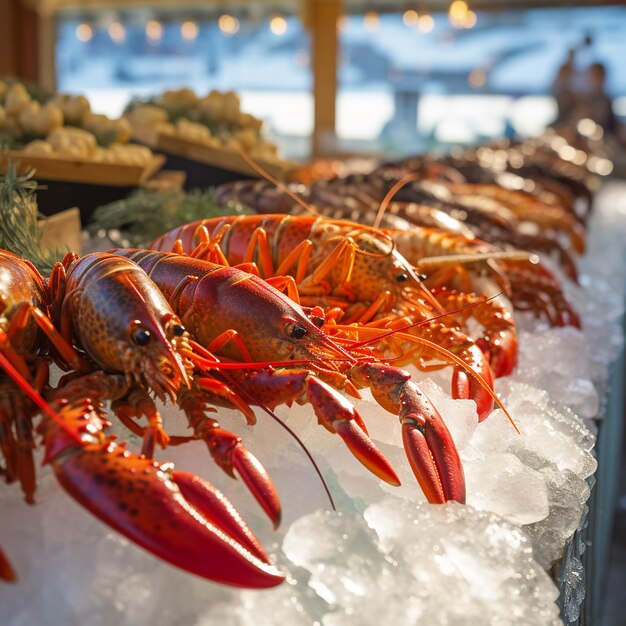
<point>280,331</point>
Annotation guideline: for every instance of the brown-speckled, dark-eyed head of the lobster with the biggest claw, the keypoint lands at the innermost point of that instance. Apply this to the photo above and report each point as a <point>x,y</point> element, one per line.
<point>124,324</point>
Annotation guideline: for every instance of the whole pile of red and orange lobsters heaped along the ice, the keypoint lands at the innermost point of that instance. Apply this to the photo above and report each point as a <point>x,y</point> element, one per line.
<point>269,309</point>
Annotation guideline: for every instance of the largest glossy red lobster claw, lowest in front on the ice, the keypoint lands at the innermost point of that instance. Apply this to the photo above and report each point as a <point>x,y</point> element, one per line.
<point>178,517</point>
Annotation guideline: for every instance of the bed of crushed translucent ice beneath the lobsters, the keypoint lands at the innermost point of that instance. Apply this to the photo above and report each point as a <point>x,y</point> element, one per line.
<point>388,557</point>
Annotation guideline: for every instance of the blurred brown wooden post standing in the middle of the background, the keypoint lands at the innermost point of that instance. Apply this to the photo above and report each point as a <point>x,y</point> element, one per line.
<point>321,19</point>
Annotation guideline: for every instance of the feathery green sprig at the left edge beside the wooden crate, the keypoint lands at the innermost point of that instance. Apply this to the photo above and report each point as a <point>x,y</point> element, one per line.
<point>20,228</point>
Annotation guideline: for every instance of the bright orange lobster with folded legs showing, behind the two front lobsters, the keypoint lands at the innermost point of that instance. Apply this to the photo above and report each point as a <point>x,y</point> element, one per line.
<point>342,267</point>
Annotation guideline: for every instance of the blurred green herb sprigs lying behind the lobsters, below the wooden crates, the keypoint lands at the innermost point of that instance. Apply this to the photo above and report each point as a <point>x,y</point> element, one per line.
<point>145,215</point>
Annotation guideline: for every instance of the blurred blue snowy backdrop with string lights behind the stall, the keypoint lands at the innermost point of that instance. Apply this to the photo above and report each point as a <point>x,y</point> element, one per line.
<point>409,76</point>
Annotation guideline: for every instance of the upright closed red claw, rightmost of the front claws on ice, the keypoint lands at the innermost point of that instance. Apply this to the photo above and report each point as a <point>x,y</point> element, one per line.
<point>428,444</point>
